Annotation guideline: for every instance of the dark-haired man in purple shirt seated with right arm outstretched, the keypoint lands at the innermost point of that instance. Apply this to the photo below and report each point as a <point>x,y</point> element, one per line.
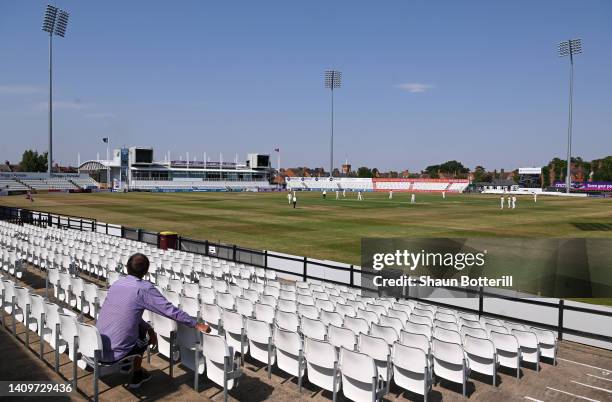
<point>122,329</point>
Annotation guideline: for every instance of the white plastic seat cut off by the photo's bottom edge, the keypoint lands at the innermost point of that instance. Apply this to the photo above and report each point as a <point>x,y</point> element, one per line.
<point>360,377</point>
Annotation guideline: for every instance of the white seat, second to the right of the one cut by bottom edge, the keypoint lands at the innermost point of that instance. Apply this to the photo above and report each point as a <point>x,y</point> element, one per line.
<point>449,362</point>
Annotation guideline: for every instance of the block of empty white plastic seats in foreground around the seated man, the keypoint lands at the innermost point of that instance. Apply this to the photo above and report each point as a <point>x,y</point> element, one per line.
<point>311,330</point>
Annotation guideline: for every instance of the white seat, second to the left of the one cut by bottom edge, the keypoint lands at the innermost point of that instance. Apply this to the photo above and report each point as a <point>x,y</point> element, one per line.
<point>289,353</point>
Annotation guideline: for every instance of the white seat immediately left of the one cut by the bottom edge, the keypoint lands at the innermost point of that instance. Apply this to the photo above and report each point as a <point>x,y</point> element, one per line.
<point>322,365</point>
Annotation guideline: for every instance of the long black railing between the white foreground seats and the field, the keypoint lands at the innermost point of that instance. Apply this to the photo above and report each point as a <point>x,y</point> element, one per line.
<point>260,259</point>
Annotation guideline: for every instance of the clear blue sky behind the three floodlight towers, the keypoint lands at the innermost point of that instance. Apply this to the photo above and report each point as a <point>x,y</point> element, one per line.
<point>477,81</point>
